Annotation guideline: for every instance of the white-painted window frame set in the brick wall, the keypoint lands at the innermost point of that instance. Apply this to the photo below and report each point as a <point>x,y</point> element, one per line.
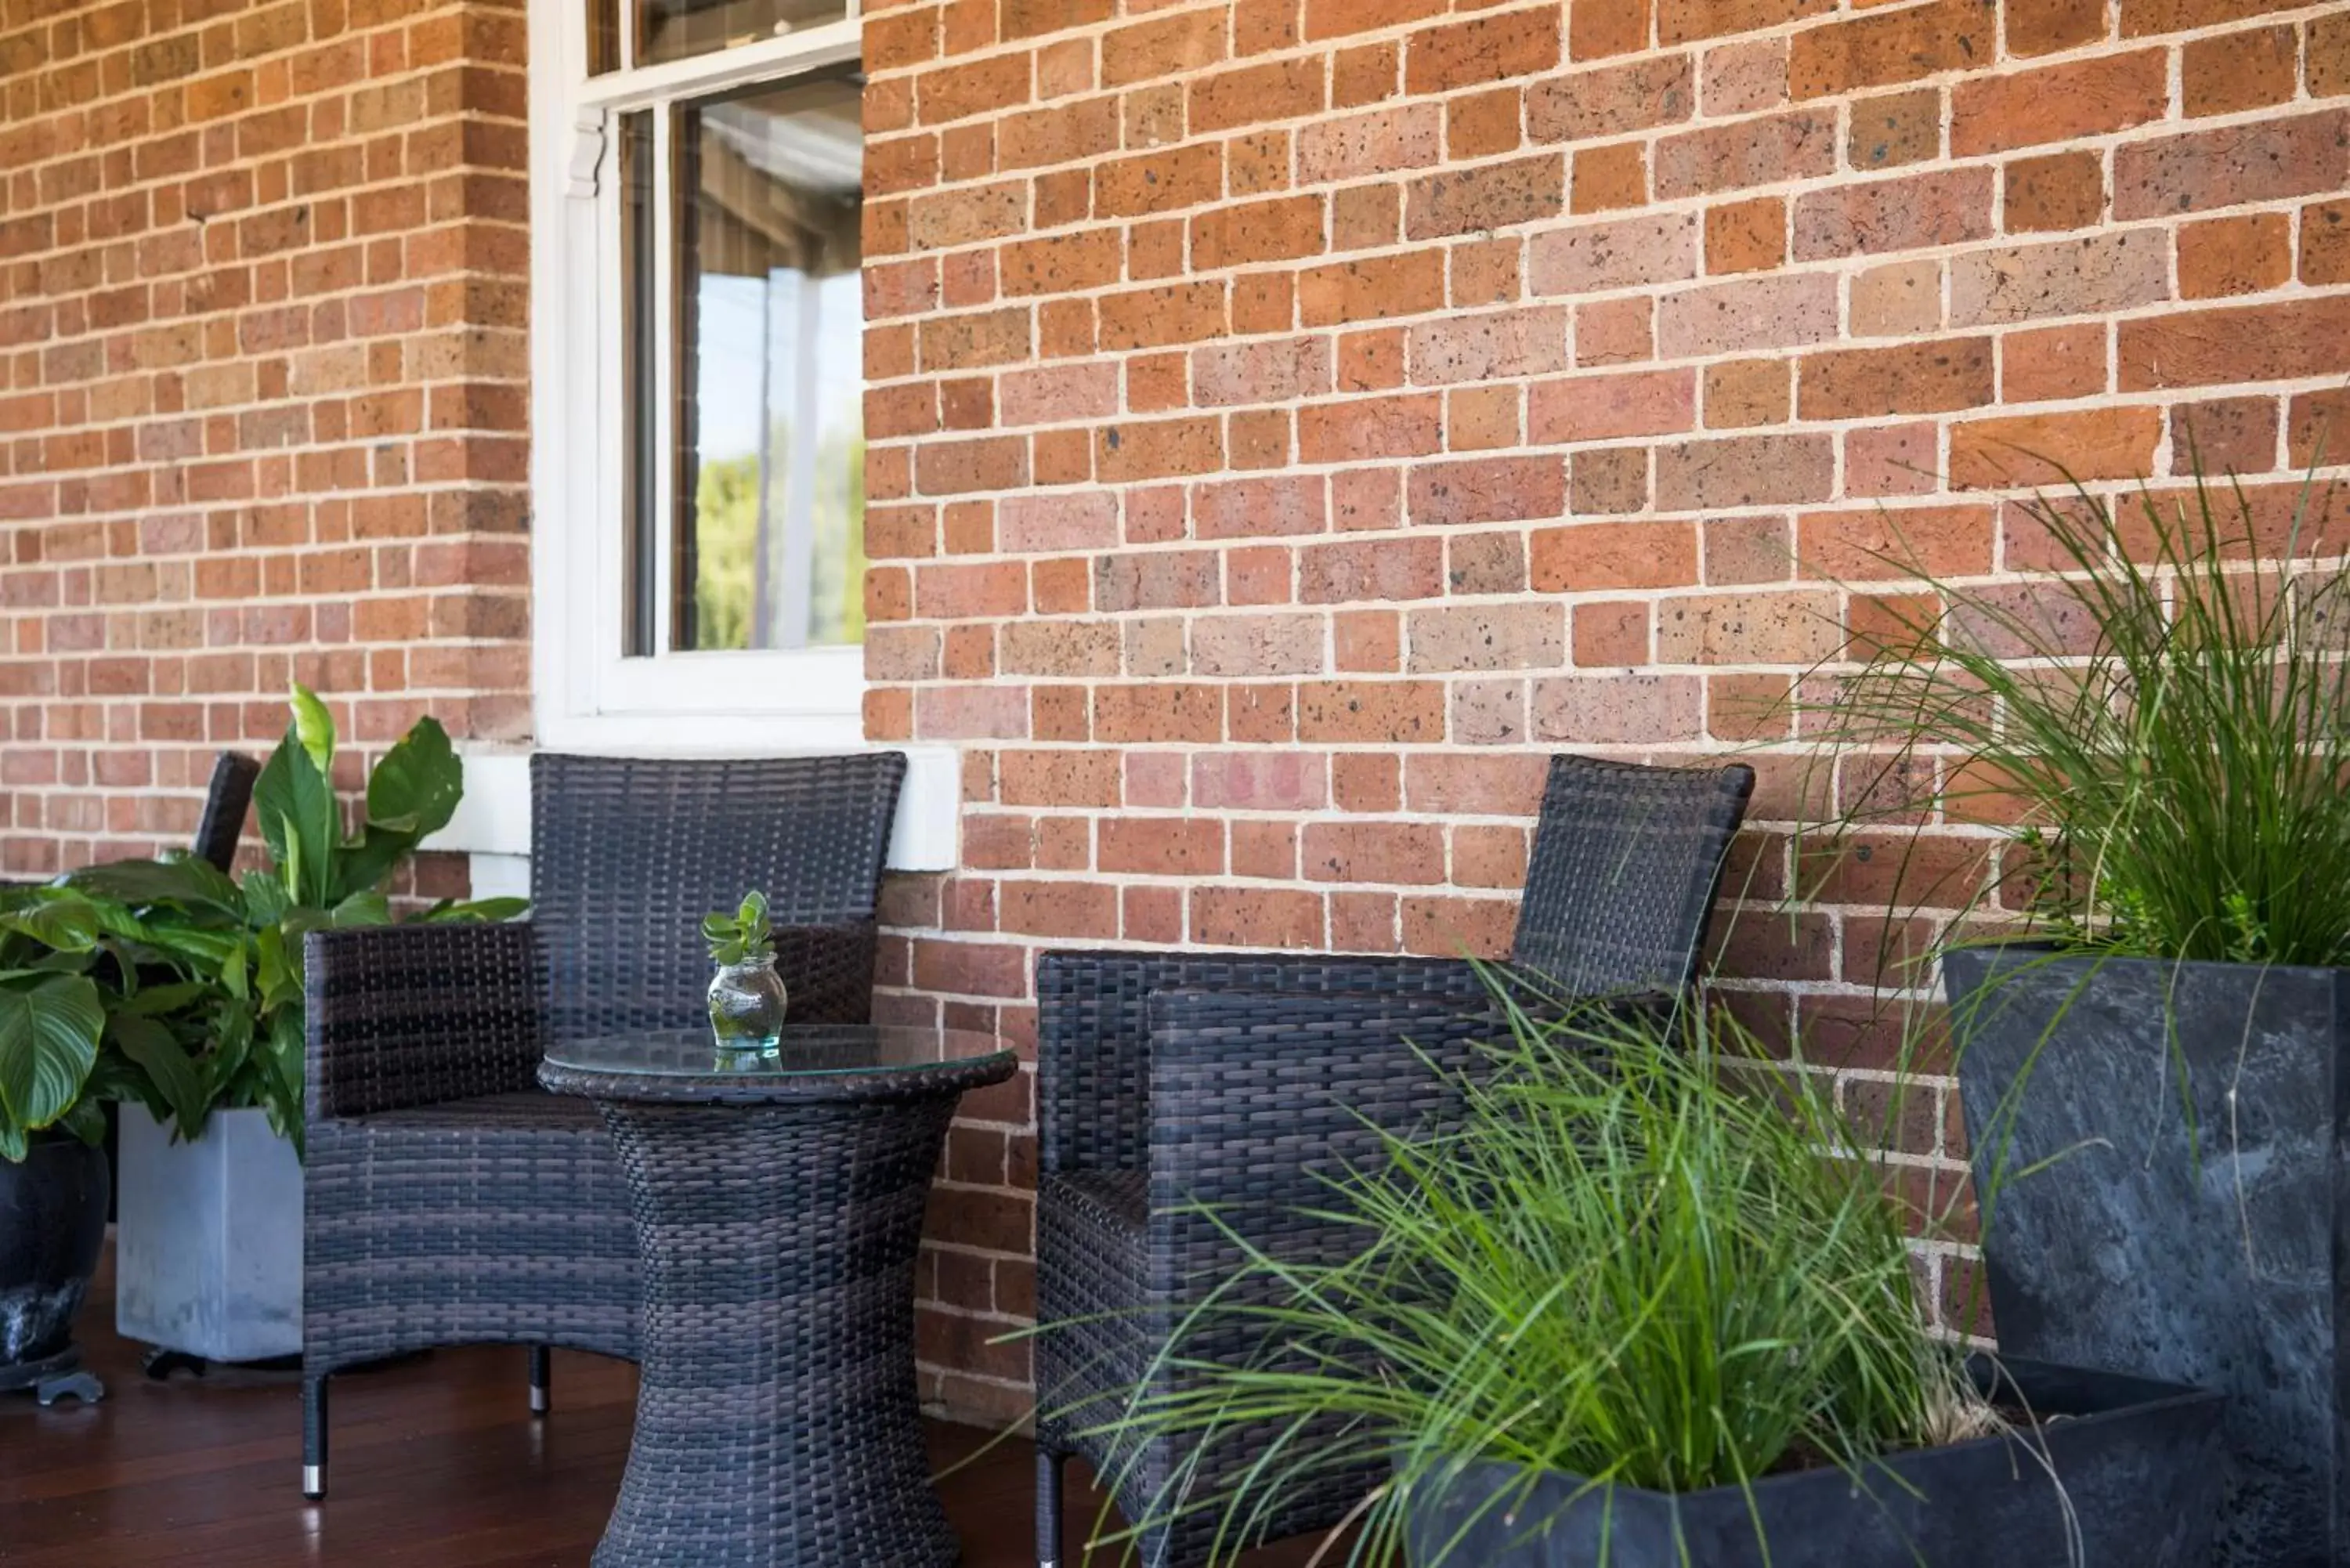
<point>586,692</point>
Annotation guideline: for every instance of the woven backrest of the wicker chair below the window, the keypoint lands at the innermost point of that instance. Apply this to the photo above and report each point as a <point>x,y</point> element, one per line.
<point>629,855</point>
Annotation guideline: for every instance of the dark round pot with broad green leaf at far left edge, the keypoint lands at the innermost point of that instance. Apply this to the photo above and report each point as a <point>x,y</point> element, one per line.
<point>53,1174</point>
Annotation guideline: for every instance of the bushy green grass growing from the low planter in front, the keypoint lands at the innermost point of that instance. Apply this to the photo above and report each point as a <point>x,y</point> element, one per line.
<point>1641,1257</point>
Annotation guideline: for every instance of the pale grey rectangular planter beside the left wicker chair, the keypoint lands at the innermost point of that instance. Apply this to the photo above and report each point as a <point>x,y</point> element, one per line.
<point>208,1245</point>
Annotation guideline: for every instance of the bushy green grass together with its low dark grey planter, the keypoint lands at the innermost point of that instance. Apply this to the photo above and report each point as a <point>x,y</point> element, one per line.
<point>1641,1308</point>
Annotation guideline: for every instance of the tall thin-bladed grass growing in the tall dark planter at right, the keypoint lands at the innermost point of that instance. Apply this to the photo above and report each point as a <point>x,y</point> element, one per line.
<point>2154,728</point>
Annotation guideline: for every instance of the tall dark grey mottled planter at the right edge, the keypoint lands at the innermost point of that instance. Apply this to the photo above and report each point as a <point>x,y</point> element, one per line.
<point>2210,1257</point>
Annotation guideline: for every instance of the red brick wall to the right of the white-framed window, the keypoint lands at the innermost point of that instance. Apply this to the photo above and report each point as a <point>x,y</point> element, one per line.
<point>1294,417</point>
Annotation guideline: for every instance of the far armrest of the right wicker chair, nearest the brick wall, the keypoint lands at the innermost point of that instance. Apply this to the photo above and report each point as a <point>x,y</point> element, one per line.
<point>1094,1031</point>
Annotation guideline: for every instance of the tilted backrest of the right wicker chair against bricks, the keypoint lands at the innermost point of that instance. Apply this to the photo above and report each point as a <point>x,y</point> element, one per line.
<point>1625,869</point>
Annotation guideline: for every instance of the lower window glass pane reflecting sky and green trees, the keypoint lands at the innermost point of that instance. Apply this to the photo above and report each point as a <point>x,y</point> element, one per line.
<point>770,413</point>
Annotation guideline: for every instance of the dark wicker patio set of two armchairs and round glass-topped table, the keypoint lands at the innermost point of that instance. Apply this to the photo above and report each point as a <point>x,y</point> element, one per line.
<point>516,1134</point>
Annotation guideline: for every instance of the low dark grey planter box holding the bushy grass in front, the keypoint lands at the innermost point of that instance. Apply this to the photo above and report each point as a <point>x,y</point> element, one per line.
<point>2135,1466</point>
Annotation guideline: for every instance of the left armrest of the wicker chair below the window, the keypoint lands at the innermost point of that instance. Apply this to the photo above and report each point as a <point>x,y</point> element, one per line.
<point>403,1017</point>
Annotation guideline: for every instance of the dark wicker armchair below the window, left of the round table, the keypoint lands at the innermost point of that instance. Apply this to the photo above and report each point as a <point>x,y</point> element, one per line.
<point>448,1198</point>
